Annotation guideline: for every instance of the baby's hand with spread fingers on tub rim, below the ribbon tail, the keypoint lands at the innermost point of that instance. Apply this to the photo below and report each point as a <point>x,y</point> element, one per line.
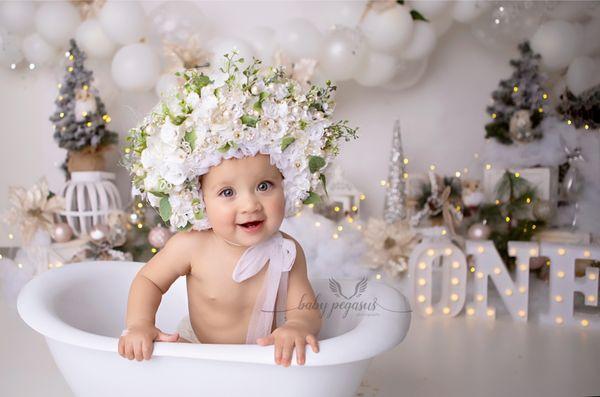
<point>285,338</point>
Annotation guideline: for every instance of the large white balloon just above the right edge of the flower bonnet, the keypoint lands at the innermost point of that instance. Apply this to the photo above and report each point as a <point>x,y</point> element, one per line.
<point>343,53</point>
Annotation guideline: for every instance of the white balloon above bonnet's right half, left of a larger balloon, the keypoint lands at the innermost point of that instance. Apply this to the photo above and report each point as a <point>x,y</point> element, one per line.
<point>299,38</point>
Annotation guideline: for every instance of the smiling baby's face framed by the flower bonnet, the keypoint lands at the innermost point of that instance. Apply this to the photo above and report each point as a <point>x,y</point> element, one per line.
<point>239,191</point>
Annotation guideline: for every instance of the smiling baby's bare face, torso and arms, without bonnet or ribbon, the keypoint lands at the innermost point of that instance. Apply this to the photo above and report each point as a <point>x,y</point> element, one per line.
<point>245,205</point>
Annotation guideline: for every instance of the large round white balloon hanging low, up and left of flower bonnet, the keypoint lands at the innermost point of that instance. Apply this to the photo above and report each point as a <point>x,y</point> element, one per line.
<point>135,67</point>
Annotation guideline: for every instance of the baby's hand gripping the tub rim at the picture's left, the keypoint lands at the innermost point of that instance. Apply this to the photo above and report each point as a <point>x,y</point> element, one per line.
<point>138,341</point>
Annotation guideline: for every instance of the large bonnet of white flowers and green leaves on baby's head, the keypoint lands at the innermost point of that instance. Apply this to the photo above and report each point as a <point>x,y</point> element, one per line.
<point>233,112</point>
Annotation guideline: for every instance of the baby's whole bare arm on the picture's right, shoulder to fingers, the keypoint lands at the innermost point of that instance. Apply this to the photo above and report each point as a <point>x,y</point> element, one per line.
<point>303,317</point>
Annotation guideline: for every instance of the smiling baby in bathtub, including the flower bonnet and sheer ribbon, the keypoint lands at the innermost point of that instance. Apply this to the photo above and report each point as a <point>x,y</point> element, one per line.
<point>224,158</point>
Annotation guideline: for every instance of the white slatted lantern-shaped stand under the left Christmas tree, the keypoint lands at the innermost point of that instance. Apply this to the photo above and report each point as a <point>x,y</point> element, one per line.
<point>89,197</point>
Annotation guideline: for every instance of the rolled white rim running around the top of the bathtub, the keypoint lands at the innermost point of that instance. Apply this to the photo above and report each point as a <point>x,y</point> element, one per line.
<point>368,338</point>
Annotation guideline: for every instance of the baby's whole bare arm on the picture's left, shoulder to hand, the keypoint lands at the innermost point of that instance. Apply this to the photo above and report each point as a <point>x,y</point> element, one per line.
<point>145,294</point>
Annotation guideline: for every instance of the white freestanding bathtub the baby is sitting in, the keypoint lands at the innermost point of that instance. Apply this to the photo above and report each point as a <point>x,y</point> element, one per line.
<point>80,310</point>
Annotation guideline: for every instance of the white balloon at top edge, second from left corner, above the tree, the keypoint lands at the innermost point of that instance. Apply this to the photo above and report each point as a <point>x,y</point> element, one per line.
<point>56,22</point>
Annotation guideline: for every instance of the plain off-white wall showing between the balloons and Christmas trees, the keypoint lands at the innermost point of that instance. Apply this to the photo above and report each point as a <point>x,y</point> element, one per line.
<point>442,117</point>
